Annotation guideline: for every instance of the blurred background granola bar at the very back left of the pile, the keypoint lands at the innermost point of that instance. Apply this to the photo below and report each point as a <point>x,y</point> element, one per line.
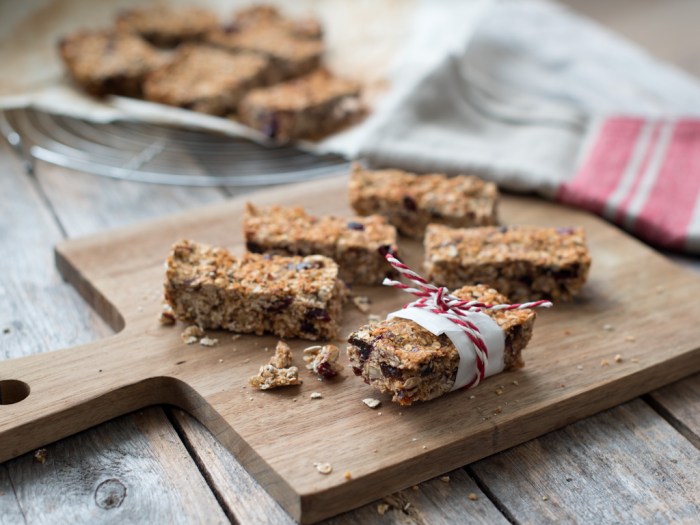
<point>167,27</point>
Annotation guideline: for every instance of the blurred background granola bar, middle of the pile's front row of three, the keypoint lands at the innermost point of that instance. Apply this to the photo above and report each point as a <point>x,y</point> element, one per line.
<point>205,79</point>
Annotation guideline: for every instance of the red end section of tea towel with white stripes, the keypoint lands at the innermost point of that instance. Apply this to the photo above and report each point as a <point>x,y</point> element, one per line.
<point>643,175</point>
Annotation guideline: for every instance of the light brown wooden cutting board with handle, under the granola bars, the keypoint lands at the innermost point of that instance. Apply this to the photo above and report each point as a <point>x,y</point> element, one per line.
<point>637,306</point>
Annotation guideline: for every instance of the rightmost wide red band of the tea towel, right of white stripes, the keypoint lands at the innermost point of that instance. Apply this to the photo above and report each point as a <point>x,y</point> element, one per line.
<point>665,217</point>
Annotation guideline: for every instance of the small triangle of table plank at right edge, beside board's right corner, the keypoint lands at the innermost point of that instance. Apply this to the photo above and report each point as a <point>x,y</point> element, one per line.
<point>679,403</point>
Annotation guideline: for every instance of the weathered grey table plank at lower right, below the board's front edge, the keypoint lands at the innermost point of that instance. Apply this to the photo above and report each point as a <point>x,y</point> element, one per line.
<point>623,464</point>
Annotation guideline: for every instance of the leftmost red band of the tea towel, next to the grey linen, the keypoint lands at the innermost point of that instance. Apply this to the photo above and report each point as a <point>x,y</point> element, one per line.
<point>600,173</point>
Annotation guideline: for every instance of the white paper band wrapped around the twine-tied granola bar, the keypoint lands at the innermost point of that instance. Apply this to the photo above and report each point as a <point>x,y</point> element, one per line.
<point>491,333</point>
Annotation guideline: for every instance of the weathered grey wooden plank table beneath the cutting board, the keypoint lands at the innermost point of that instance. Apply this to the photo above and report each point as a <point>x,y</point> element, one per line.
<point>639,462</point>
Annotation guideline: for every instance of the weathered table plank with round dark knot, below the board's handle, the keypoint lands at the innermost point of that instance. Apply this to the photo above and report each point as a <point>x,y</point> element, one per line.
<point>131,470</point>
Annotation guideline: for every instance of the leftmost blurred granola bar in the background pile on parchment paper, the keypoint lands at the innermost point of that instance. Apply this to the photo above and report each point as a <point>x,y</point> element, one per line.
<point>109,63</point>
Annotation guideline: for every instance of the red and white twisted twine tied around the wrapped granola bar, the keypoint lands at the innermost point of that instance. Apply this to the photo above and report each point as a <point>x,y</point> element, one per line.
<point>438,300</point>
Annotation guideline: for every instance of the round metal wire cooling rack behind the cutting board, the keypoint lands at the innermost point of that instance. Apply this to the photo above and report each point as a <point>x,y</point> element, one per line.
<point>157,153</point>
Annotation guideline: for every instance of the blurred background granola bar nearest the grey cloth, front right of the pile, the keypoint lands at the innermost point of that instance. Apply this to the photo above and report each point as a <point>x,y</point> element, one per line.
<point>308,107</point>
